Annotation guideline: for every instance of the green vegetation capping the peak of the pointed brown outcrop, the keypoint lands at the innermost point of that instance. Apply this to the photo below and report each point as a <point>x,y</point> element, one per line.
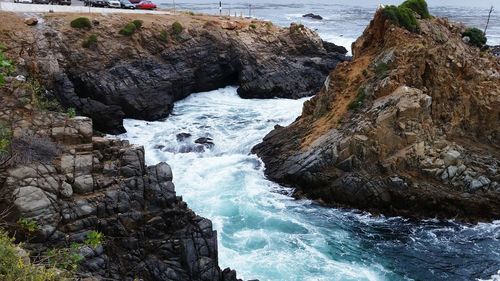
<point>404,14</point>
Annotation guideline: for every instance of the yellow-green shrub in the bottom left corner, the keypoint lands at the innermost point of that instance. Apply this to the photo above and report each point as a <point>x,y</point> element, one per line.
<point>13,266</point>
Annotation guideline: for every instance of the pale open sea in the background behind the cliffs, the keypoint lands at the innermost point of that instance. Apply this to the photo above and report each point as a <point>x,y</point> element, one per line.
<point>344,20</point>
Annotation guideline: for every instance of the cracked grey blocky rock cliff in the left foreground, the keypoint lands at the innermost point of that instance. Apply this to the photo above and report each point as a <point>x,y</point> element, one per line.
<point>71,183</point>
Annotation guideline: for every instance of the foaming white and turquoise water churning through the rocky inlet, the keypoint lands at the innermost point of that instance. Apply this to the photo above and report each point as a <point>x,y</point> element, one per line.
<point>265,234</point>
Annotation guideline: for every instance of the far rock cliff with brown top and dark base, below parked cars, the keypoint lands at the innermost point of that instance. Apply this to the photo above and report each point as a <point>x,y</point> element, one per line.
<point>140,76</point>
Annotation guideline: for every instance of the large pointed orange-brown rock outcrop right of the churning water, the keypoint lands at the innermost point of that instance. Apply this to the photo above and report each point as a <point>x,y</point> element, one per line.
<point>409,127</point>
